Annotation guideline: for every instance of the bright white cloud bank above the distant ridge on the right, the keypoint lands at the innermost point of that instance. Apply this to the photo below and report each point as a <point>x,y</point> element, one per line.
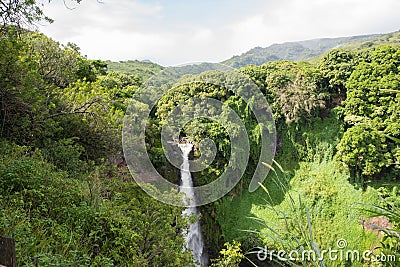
<point>293,20</point>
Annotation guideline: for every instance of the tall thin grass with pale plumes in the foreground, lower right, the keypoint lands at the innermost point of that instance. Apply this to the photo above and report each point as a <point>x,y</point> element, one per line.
<point>296,235</point>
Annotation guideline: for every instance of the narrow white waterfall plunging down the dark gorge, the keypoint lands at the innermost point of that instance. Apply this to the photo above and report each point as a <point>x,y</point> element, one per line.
<point>193,237</point>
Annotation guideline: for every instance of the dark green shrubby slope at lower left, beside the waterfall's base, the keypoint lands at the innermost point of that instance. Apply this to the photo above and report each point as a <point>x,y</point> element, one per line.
<point>97,219</point>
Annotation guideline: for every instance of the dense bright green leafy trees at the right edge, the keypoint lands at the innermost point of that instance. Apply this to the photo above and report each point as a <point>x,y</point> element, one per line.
<point>372,114</point>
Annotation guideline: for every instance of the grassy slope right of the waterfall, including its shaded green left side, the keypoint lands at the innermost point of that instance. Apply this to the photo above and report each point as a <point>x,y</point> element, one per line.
<point>319,183</point>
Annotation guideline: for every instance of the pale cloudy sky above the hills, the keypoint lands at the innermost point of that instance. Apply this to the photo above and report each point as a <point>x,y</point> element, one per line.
<point>174,32</point>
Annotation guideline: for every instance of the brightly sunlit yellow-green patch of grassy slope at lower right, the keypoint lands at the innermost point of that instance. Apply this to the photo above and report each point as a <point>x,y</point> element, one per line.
<point>318,210</point>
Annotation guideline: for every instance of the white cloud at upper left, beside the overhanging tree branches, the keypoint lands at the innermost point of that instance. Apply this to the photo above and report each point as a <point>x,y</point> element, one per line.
<point>105,15</point>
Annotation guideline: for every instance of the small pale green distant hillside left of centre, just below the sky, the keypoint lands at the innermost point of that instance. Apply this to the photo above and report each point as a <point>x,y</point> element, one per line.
<point>142,69</point>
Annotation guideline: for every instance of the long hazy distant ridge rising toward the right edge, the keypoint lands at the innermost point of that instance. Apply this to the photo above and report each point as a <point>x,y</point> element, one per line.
<point>303,50</point>
